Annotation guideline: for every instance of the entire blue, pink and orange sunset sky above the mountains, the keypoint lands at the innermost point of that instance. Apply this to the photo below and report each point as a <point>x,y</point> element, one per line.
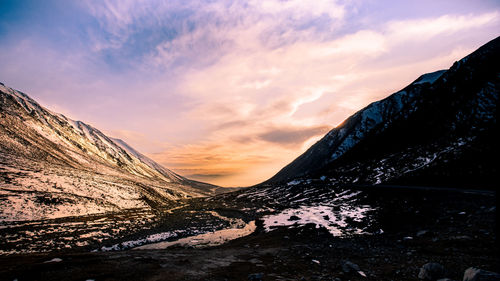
<point>229,92</point>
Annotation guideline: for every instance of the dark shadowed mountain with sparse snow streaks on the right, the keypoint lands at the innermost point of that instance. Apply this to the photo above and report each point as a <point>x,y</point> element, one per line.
<point>439,130</point>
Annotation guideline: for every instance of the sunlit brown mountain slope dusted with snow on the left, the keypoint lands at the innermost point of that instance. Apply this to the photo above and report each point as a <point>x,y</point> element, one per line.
<point>52,166</point>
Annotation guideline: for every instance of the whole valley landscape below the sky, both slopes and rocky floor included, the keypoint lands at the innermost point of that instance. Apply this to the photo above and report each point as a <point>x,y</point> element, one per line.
<point>405,182</point>
